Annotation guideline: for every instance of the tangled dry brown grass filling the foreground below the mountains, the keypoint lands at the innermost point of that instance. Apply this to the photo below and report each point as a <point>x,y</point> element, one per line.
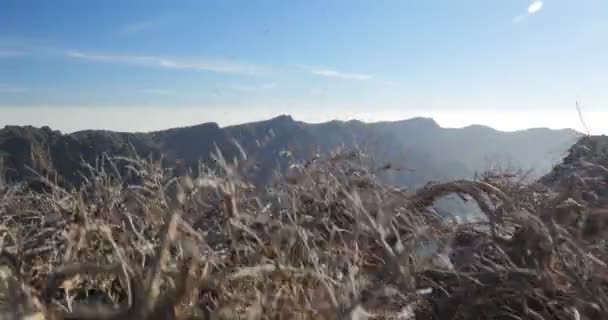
<point>327,241</point>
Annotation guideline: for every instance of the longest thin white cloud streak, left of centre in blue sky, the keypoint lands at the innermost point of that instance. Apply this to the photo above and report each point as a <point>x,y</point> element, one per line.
<point>211,65</point>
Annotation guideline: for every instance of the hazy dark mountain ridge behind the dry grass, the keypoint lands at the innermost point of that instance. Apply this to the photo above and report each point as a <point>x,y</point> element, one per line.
<point>419,147</point>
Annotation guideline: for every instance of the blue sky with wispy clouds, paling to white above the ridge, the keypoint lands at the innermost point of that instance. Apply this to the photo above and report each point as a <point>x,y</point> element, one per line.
<point>147,65</point>
